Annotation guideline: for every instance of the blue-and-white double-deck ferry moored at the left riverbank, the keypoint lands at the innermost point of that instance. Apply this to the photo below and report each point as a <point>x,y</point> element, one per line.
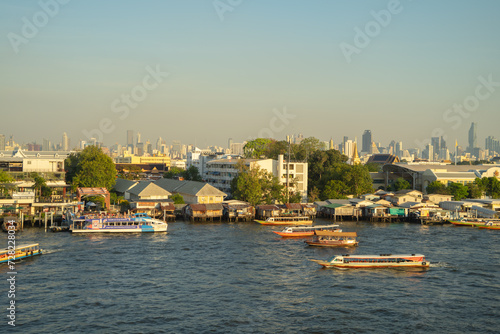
<point>139,222</point>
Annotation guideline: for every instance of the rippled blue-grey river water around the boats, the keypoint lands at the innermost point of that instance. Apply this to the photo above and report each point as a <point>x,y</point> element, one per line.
<point>242,278</point>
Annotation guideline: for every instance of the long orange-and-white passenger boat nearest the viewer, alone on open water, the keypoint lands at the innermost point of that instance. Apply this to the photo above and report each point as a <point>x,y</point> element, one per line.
<point>375,261</point>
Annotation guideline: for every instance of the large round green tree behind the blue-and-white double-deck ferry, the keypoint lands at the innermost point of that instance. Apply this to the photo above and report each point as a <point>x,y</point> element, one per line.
<point>90,168</point>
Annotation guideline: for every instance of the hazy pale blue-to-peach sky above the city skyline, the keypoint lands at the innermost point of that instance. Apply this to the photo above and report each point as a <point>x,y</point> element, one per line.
<point>204,71</point>
